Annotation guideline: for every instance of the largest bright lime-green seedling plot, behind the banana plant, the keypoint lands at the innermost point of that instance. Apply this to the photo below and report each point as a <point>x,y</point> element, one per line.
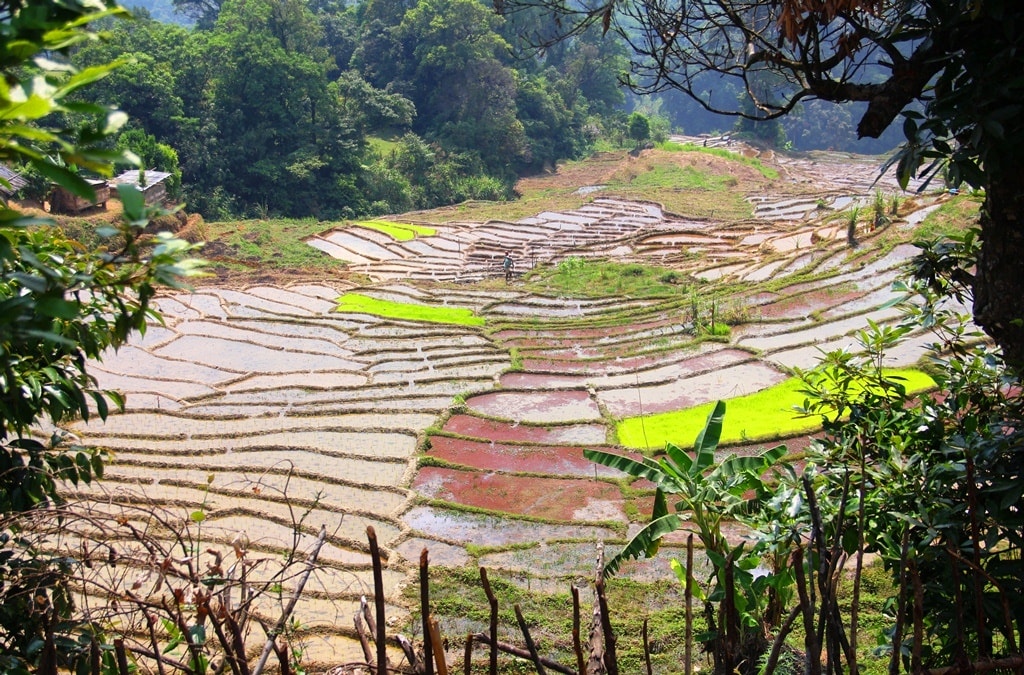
<point>760,416</point>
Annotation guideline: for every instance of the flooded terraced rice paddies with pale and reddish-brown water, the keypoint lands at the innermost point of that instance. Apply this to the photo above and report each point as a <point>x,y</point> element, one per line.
<point>261,403</point>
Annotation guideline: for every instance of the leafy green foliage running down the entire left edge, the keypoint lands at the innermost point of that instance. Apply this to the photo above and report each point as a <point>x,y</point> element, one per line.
<point>62,305</point>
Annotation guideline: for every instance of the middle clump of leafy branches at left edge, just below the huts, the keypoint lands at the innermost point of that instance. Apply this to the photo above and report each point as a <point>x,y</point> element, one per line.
<point>62,306</point>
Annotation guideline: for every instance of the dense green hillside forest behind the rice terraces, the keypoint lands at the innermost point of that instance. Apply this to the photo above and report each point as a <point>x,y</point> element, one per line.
<point>329,109</point>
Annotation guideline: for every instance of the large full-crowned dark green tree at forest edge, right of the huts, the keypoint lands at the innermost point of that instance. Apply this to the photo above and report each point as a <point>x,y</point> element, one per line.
<point>282,141</point>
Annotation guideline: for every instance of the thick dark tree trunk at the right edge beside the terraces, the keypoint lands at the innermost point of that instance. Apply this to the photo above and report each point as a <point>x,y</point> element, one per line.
<point>999,285</point>
